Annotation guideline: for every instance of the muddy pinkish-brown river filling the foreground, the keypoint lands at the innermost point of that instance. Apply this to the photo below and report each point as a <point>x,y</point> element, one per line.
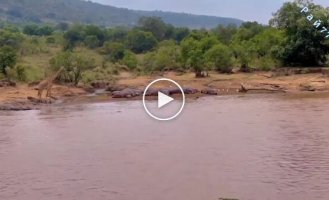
<point>260,147</point>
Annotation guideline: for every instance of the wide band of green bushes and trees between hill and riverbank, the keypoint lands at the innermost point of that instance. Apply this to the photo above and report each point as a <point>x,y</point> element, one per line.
<point>90,52</point>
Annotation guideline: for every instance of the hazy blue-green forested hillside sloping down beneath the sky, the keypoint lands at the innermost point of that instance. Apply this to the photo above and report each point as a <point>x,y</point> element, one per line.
<point>87,12</point>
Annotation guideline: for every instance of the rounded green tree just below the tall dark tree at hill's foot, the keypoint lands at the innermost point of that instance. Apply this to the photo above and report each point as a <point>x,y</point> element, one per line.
<point>140,41</point>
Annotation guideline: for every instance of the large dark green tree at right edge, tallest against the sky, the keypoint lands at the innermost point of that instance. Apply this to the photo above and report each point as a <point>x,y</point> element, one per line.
<point>304,44</point>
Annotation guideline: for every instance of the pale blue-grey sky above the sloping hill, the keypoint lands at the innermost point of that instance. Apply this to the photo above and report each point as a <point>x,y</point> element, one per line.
<point>247,10</point>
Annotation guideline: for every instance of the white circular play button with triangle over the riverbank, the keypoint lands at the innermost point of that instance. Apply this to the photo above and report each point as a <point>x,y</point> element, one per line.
<point>163,99</point>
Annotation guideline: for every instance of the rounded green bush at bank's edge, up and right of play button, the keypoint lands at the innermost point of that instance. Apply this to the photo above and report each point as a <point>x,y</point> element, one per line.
<point>219,57</point>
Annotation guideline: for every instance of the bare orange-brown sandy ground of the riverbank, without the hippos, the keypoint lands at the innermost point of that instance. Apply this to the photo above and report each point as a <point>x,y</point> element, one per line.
<point>224,84</point>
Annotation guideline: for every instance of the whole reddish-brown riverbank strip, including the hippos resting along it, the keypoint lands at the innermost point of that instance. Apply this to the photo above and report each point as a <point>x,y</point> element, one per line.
<point>15,98</point>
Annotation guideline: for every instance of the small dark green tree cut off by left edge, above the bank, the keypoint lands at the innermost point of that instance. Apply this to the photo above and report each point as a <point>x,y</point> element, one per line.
<point>8,59</point>
